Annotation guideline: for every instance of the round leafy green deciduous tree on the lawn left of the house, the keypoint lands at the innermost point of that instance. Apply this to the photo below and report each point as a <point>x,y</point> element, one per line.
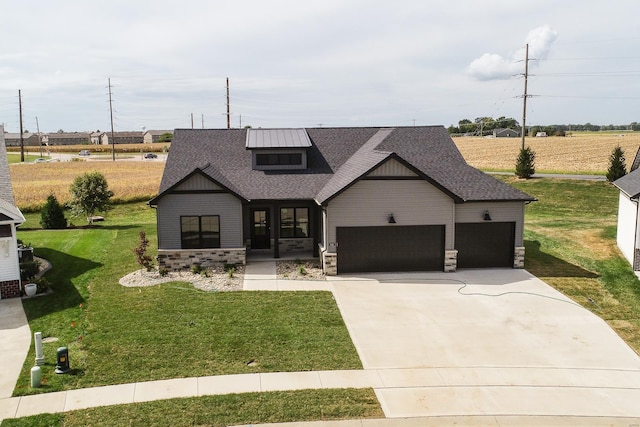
<point>90,194</point>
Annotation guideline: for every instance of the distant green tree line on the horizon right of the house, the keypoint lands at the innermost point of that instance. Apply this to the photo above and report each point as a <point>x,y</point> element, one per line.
<point>483,126</point>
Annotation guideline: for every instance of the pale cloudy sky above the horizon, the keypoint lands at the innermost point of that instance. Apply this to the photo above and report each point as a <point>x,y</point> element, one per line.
<point>300,63</point>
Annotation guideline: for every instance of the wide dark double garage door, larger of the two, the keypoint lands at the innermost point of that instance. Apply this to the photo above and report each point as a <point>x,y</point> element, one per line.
<point>390,248</point>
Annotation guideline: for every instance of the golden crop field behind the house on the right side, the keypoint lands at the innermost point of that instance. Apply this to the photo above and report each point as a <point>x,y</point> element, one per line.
<point>586,152</point>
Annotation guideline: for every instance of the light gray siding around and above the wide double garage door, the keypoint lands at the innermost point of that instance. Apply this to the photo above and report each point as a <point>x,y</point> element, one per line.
<point>370,202</point>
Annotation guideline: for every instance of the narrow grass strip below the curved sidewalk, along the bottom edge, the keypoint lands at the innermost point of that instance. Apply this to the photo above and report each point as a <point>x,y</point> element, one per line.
<point>219,411</point>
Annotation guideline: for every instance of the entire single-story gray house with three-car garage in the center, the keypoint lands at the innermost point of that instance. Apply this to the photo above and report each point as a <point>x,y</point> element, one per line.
<point>360,199</point>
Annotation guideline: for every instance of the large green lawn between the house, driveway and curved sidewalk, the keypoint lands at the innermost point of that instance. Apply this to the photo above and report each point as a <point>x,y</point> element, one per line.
<point>121,335</point>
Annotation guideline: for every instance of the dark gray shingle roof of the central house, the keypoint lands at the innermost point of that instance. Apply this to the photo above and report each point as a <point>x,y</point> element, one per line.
<point>336,158</point>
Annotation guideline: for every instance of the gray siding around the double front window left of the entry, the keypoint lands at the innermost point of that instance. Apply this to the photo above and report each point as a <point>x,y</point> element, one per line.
<point>172,206</point>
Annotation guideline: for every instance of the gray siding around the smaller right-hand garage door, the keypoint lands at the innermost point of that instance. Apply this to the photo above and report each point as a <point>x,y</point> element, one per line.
<point>499,212</point>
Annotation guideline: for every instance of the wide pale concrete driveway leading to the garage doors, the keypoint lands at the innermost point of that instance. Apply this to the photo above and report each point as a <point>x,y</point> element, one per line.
<point>486,342</point>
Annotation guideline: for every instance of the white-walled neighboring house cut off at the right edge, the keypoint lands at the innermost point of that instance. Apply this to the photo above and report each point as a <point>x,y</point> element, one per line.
<point>628,234</point>
